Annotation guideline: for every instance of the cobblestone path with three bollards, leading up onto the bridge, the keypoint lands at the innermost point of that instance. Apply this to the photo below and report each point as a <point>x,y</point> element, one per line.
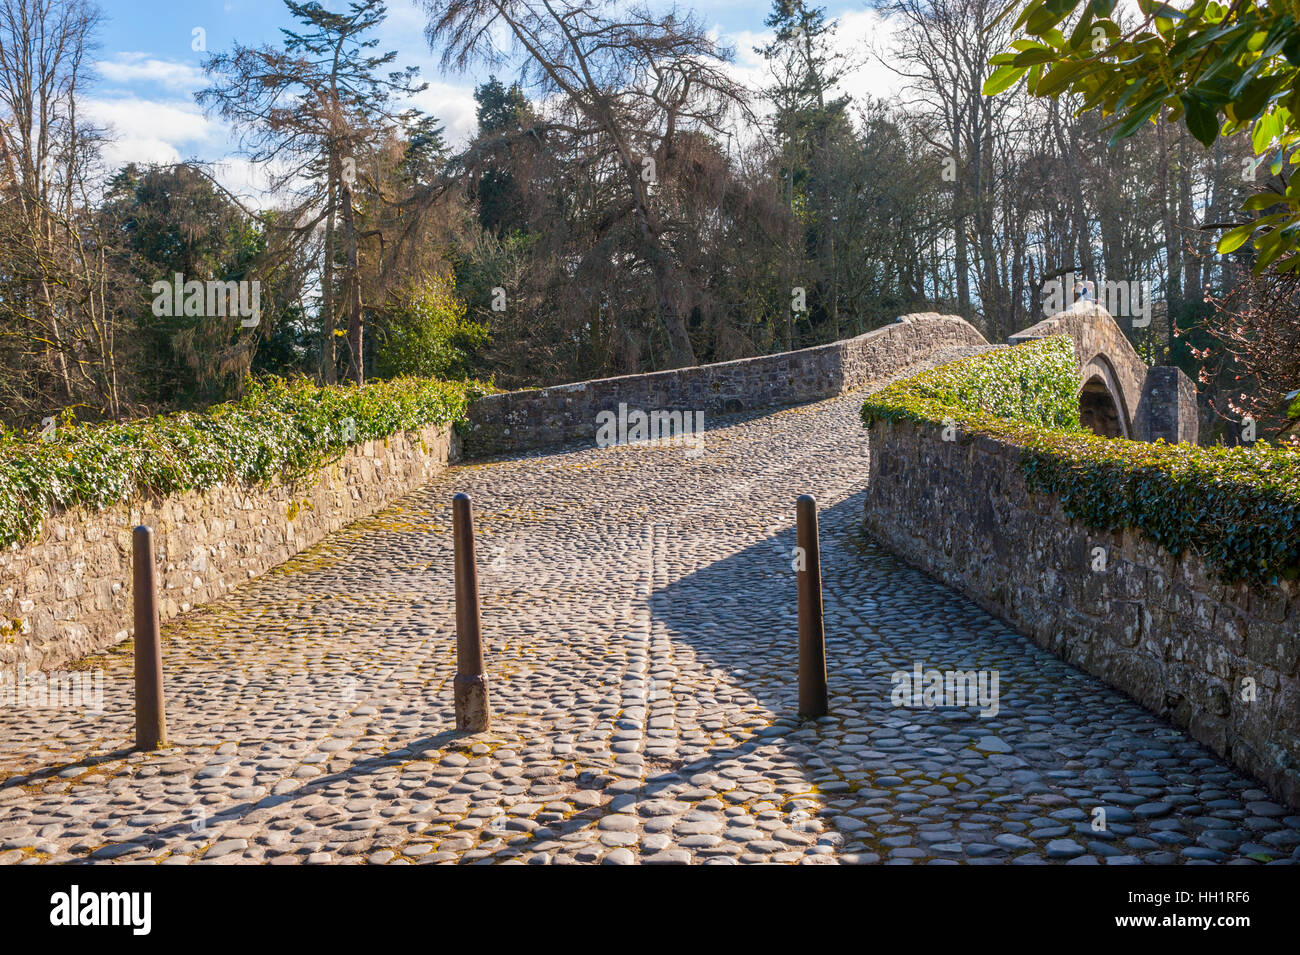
<point>642,628</point>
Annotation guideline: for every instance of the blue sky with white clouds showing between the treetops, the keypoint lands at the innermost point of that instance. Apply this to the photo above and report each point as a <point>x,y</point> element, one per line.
<point>149,70</point>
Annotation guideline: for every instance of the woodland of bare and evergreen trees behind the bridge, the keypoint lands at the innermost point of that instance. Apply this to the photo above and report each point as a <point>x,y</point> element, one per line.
<point>626,206</point>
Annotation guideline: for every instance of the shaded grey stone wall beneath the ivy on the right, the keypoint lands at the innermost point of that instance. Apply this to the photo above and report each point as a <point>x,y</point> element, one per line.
<point>1165,632</point>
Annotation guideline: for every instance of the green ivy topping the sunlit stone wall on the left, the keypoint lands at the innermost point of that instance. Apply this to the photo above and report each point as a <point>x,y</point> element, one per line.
<point>280,429</point>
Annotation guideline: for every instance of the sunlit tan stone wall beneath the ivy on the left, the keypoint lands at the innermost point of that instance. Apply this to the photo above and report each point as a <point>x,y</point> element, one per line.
<point>70,594</point>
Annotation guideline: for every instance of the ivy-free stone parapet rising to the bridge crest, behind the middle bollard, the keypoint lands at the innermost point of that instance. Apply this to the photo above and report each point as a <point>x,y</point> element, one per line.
<point>544,418</point>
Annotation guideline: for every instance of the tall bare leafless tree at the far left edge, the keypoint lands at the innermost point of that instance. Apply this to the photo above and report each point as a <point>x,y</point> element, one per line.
<point>58,312</point>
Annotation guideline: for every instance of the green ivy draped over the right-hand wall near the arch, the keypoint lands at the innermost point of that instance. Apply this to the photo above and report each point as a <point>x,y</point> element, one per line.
<point>1237,509</point>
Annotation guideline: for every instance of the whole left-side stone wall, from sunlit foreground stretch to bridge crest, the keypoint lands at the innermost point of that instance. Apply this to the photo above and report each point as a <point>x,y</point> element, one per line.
<point>68,596</point>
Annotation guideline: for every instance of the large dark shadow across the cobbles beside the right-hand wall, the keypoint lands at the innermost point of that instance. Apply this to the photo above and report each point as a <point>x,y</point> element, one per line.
<point>1060,769</point>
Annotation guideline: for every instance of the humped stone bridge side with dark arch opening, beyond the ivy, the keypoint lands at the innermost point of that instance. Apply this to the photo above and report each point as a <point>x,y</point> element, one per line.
<point>1120,397</point>
